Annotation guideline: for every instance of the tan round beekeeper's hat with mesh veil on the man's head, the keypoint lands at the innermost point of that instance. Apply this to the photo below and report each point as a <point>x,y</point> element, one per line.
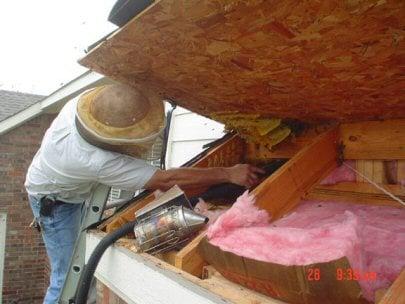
<point>121,119</point>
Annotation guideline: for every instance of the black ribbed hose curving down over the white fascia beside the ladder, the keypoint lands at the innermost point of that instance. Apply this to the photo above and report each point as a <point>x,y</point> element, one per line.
<point>88,271</point>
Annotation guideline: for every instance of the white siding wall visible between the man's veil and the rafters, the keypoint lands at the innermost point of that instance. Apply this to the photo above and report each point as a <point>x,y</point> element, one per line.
<point>188,133</point>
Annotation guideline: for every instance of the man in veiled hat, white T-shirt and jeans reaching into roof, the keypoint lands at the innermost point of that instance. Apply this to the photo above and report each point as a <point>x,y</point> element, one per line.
<point>101,137</point>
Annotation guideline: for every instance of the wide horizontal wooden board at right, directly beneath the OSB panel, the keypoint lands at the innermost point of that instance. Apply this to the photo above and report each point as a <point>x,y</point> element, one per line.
<point>383,140</point>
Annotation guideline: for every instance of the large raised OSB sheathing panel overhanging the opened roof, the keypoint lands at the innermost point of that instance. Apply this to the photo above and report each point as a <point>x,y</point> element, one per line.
<point>310,60</point>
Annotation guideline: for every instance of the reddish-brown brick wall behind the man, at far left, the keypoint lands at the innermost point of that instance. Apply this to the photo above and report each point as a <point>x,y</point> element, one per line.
<point>25,267</point>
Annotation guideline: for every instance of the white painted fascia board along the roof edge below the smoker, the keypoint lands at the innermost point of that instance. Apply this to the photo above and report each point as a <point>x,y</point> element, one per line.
<point>138,280</point>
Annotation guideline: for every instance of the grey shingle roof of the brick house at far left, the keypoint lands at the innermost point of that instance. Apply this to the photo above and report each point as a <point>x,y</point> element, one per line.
<point>13,102</point>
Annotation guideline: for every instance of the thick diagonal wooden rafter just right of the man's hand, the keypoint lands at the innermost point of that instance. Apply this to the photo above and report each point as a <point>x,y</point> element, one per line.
<point>283,190</point>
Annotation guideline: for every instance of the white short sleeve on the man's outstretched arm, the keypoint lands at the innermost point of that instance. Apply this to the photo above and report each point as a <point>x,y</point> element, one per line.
<point>125,172</point>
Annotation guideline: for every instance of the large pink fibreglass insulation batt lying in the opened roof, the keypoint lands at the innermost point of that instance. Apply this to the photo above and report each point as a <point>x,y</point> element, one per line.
<point>371,237</point>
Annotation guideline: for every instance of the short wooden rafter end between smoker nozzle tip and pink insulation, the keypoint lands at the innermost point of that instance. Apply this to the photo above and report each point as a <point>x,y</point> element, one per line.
<point>189,259</point>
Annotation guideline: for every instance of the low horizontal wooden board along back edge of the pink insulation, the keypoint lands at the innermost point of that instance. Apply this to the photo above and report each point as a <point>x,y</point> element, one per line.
<point>360,193</point>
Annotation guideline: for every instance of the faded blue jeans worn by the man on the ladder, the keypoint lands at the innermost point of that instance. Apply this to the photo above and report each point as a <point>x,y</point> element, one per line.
<point>59,232</point>
